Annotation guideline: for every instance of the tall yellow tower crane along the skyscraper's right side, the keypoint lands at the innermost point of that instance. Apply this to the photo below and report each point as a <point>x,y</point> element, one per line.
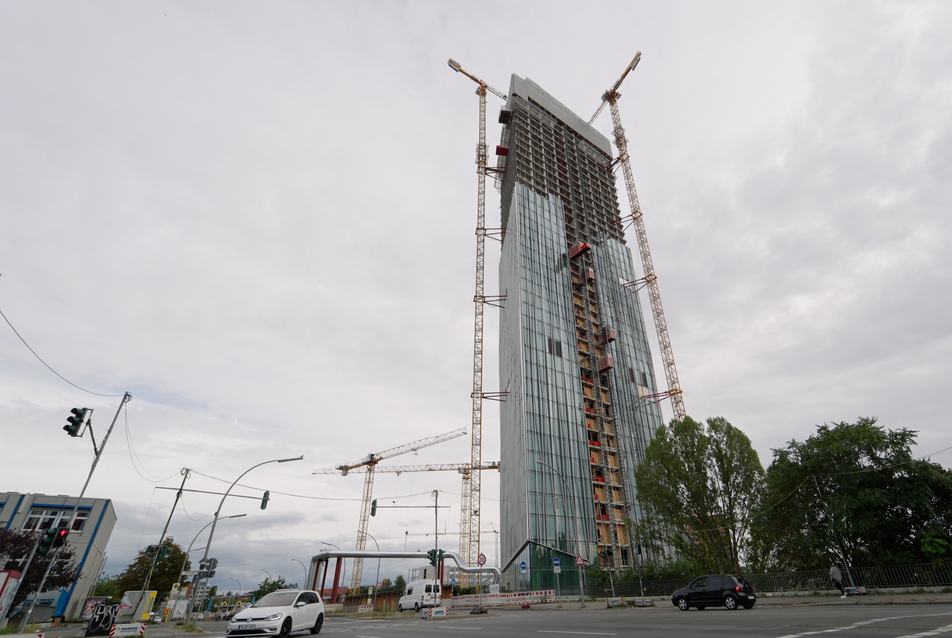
<point>610,97</point>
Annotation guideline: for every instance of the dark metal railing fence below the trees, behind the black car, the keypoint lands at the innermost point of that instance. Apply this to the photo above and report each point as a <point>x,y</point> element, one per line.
<point>872,578</point>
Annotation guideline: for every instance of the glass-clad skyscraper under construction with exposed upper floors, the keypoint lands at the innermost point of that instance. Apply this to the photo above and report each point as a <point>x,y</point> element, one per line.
<point>574,356</point>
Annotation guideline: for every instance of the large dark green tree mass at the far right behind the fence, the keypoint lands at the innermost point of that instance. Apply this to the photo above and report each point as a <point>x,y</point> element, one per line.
<point>855,485</point>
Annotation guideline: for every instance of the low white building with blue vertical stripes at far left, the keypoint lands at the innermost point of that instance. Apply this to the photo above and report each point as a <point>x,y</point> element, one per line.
<point>89,534</point>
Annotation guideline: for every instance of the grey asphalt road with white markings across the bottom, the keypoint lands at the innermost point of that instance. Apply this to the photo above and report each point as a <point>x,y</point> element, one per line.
<point>782,621</point>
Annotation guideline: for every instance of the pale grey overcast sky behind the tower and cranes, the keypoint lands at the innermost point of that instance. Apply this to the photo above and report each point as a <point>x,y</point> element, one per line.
<point>258,218</point>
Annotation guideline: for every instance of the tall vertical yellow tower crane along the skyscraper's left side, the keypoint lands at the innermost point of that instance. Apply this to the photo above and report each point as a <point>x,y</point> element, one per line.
<point>470,505</point>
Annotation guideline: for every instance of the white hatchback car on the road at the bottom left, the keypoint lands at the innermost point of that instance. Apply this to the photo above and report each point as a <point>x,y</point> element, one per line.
<point>279,613</point>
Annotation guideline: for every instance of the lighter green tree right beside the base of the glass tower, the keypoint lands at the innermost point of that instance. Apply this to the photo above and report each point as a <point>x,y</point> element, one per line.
<point>699,486</point>
